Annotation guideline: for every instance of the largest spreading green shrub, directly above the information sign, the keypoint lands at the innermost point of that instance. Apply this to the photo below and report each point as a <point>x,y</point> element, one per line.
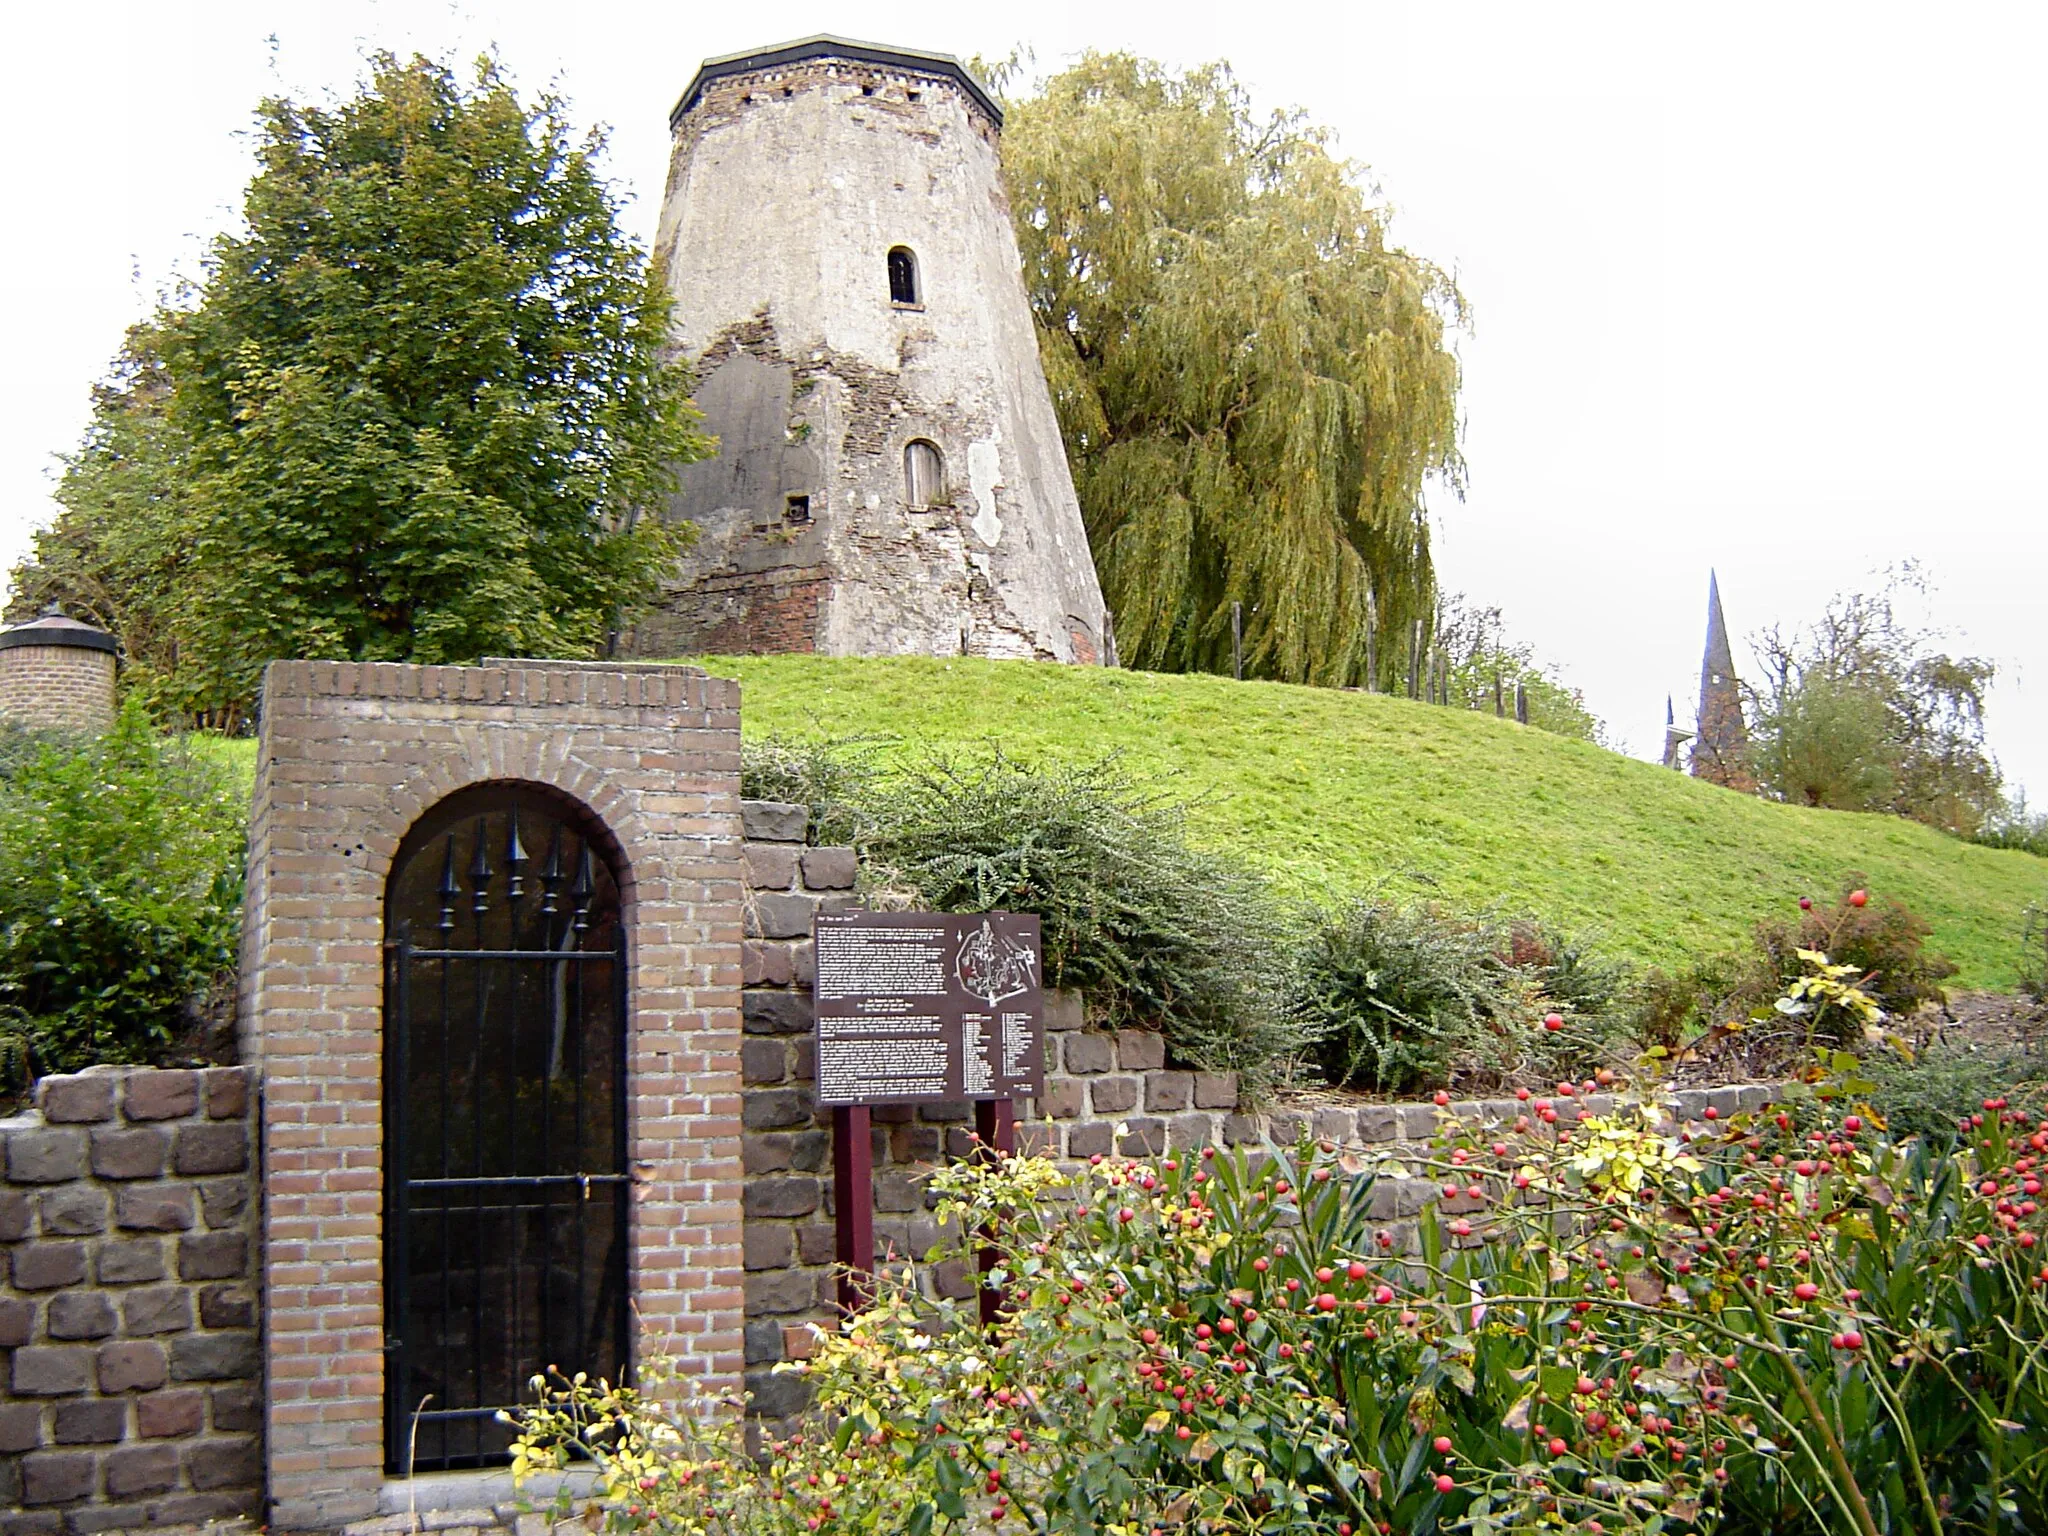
<point>1158,933</point>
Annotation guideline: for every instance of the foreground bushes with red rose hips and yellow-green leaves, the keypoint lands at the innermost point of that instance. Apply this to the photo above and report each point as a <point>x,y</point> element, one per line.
<point>1773,1322</point>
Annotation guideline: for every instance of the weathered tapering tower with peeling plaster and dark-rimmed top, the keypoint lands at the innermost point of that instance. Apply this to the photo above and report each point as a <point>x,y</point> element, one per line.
<point>890,472</point>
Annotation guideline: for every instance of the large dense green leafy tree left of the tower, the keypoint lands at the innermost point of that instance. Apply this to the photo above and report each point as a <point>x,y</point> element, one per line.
<point>413,413</point>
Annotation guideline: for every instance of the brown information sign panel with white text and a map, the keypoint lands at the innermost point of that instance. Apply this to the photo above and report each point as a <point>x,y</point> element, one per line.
<point>929,1007</point>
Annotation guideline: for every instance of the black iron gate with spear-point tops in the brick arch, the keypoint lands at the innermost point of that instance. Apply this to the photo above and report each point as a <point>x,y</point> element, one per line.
<point>505,1121</point>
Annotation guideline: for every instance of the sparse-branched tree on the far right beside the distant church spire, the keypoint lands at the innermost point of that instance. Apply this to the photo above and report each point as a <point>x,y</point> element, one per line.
<point>1863,712</point>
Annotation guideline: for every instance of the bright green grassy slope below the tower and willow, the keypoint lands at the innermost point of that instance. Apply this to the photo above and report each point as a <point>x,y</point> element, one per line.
<point>1338,792</point>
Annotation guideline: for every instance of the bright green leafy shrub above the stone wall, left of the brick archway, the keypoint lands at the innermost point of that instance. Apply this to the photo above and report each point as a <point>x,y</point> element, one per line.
<point>120,894</point>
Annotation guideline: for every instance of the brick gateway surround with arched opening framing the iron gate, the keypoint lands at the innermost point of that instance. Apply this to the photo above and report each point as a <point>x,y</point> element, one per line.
<point>351,757</point>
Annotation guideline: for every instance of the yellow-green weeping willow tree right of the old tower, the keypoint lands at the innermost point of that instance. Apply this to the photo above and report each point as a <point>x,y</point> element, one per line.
<point>1252,384</point>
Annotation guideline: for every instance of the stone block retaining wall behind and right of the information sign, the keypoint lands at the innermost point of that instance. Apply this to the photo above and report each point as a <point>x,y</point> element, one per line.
<point>1105,1093</point>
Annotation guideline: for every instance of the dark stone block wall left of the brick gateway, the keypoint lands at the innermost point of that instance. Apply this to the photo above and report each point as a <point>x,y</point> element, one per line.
<point>130,1312</point>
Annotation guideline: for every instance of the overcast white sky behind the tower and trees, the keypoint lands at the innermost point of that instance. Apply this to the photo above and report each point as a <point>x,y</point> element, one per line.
<point>1756,288</point>
